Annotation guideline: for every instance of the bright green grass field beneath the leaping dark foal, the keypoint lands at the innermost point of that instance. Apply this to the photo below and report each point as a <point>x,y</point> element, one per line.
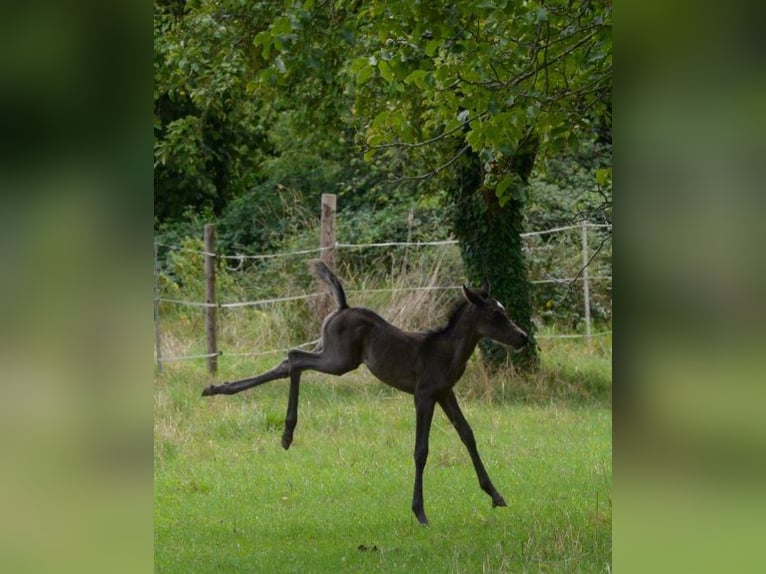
<point>228,498</point>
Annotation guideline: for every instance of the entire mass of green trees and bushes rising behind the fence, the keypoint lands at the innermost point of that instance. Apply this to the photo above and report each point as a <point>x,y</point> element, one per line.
<point>260,107</point>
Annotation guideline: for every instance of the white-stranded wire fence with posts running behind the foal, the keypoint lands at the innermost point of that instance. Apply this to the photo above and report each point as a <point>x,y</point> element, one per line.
<point>210,305</point>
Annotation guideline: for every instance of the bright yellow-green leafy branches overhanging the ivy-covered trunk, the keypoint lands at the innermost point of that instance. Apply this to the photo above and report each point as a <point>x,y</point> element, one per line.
<point>481,74</point>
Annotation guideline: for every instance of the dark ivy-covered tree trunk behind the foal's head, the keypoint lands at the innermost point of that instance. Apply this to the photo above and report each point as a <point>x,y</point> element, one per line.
<point>491,247</point>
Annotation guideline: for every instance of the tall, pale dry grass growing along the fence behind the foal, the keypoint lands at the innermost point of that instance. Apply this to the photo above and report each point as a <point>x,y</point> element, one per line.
<point>253,338</point>
